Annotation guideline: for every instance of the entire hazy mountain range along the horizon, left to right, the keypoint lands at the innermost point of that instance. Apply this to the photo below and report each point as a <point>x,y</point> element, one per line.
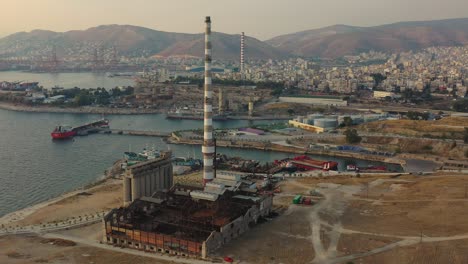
<point>328,42</point>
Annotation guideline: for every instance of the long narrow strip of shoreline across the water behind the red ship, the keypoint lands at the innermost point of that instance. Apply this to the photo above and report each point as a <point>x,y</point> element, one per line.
<point>79,110</point>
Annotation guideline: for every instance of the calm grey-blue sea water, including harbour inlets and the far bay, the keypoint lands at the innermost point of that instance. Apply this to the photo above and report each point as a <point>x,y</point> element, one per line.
<point>33,168</point>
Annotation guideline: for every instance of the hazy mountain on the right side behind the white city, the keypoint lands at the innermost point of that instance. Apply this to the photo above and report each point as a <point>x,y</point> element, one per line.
<point>339,40</point>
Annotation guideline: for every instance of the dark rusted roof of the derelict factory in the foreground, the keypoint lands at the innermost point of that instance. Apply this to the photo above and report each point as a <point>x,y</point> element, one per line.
<point>181,216</point>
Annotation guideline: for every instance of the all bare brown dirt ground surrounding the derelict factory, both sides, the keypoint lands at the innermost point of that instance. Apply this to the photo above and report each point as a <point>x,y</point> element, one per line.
<point>367,219</point>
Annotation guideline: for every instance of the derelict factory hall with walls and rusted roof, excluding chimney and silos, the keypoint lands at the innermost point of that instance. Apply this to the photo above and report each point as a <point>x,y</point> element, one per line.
<point>189,221</point>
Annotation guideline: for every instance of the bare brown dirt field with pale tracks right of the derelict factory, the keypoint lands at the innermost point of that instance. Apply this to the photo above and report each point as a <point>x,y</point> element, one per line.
<point>364,220</point>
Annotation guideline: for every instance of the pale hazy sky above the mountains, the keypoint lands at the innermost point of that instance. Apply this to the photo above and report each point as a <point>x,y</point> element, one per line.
<point>258,18</point>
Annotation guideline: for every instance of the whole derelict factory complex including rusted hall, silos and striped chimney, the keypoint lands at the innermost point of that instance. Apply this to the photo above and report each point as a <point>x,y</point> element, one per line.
<point>186,220</point>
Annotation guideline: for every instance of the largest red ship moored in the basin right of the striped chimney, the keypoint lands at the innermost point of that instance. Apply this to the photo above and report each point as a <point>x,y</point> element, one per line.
<point>305,163</point>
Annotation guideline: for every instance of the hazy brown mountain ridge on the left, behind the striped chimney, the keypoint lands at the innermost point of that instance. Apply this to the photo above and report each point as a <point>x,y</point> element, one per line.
<point>132,41</point>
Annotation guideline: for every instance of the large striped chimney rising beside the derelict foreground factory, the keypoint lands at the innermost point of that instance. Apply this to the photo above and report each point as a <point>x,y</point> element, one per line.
<point>208,147</point>
